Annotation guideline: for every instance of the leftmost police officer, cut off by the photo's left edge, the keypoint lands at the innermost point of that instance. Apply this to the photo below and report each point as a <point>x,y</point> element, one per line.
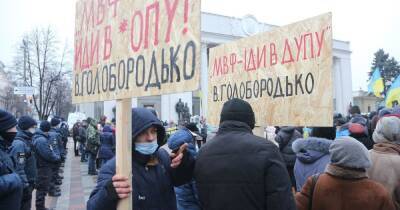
<point>10,182</point>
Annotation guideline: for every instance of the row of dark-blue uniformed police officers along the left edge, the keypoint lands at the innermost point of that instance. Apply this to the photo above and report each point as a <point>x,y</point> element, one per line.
<point>32,157</point>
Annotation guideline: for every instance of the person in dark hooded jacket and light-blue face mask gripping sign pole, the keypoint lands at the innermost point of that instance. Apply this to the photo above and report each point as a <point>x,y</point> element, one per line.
<point>154,171</point>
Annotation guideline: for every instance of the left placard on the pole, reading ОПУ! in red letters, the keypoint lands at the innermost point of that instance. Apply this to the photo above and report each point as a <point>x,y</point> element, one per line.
<point>132,48</point>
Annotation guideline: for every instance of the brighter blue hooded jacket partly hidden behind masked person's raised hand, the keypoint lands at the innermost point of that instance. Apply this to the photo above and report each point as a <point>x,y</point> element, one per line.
<point>186,195</point>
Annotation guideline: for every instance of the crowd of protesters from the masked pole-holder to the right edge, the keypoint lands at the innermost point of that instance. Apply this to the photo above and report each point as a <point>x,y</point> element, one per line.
<point>351,165</point>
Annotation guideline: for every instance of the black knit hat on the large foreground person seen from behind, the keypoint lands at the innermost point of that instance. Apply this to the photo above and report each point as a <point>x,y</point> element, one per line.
<point>238,110</point>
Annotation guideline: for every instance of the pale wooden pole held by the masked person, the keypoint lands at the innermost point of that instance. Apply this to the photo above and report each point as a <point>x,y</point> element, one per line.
<point>124,146</point>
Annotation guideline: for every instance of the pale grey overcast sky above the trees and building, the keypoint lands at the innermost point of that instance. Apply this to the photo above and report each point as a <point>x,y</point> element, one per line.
<point>368,25</point>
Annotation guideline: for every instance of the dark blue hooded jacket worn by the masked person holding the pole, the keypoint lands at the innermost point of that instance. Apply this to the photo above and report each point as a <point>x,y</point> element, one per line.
<point>152,184</point>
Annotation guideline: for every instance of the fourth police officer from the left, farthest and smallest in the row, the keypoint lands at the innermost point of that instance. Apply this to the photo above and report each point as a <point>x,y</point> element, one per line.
<point>56,141</point>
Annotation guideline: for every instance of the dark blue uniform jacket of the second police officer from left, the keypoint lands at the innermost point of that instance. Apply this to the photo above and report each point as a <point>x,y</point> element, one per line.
<point>22,151</point>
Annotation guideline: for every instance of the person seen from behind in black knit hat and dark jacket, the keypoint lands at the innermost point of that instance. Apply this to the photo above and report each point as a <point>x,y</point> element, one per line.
<point>238,170</point>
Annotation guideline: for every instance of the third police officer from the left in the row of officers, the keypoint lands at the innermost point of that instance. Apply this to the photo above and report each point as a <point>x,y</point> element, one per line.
<point>46,158</point>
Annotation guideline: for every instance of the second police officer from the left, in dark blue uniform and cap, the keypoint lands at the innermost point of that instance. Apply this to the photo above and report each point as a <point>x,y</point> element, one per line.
<point>22,152</point>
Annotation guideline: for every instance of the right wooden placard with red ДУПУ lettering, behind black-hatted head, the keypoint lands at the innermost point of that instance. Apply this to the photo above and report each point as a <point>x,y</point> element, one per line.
<point>285,74</point>
